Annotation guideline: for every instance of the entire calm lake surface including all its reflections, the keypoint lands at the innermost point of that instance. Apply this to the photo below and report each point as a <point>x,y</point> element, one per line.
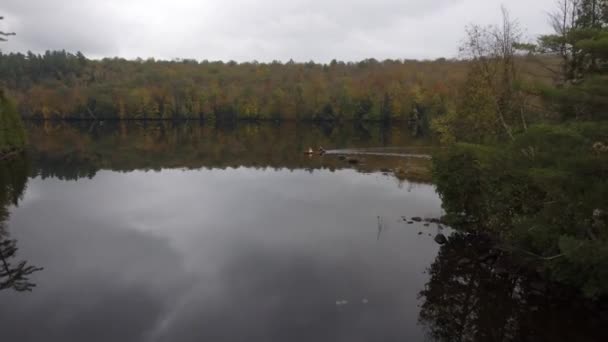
<point>192,233</point>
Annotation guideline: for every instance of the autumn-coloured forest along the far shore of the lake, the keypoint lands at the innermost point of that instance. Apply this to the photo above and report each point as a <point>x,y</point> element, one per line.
<point>62,85</point>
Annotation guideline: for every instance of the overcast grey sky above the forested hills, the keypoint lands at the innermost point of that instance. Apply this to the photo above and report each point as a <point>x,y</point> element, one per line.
<point>263,30</point>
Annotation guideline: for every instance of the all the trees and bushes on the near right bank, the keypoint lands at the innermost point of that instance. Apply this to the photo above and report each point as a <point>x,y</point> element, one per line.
<point>540,190</point>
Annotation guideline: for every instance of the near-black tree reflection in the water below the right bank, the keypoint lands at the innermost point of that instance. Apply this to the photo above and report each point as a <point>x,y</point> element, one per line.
<point>472,297</point>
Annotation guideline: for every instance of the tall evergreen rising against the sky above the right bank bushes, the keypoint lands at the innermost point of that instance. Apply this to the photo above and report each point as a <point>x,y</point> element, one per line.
<point>581,41</point>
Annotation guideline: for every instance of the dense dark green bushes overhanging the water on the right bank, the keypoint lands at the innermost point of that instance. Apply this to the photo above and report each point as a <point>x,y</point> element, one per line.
<point>543,195</point>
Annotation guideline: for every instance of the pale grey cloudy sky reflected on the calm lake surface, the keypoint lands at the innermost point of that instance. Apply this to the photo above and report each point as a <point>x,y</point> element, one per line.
<point>221,255</point>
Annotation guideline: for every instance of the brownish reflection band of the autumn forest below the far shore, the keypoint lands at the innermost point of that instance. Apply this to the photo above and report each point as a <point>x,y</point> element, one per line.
<point>79,150</point>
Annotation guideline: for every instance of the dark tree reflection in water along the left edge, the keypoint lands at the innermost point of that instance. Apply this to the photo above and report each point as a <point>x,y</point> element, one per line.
<point>13,274</point>
